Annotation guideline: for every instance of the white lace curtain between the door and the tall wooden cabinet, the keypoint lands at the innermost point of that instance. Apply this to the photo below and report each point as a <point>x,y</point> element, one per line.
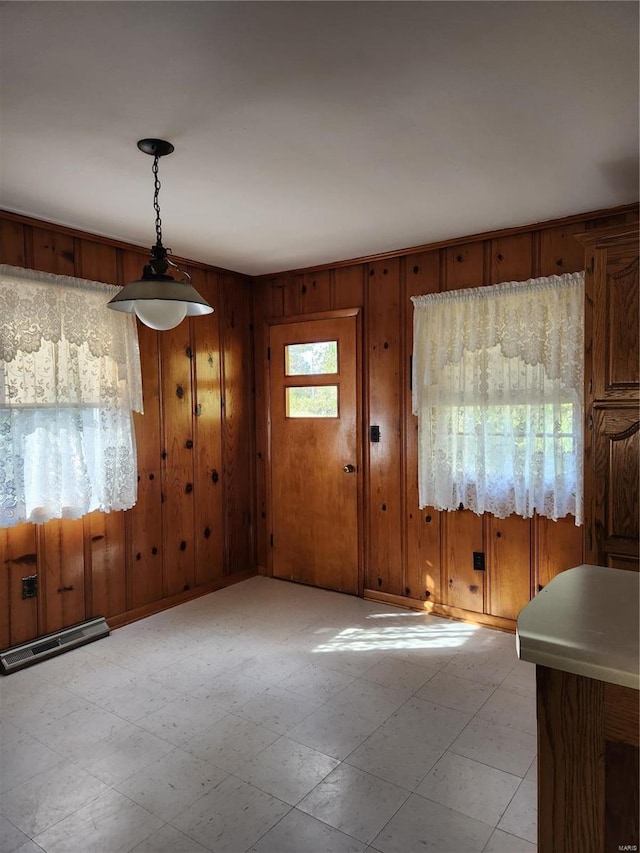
<point>497,388</point>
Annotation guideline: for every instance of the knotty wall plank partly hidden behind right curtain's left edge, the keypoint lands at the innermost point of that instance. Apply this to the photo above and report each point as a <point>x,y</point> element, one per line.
<point>422,527</point>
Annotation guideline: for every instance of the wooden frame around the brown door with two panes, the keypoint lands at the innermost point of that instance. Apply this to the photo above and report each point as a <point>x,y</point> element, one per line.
<point>338,314</point>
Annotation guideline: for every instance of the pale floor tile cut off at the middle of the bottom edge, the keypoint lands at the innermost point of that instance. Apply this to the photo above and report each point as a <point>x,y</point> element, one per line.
<point>301,833</point>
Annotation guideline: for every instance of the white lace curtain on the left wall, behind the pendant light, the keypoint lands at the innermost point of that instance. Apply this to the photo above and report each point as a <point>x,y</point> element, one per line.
<point>69,380</point>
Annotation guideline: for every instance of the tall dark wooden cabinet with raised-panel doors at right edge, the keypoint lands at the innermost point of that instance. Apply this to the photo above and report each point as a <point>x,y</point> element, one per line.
<point>612,396</point>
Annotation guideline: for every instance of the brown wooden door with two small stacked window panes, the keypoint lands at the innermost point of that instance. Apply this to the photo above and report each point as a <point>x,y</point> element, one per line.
<point>315,465</point>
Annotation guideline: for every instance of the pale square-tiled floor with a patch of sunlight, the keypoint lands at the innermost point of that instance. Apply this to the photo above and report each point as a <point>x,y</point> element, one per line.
<point>273,718</point>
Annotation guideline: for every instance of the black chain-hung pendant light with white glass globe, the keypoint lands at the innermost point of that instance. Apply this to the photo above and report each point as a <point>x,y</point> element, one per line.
<point>157,299</point>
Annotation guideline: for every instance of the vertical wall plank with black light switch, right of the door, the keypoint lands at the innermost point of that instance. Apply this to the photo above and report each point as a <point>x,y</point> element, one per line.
<point>384,567</point>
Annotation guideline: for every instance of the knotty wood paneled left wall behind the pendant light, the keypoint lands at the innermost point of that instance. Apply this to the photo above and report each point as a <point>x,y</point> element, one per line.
<point>193,527</point>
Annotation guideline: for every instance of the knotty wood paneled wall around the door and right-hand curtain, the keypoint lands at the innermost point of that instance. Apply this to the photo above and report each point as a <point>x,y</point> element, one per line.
<point>415,556</point>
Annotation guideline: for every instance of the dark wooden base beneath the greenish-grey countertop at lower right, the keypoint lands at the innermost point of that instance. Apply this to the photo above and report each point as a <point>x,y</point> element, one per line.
<point>587,765</point>
